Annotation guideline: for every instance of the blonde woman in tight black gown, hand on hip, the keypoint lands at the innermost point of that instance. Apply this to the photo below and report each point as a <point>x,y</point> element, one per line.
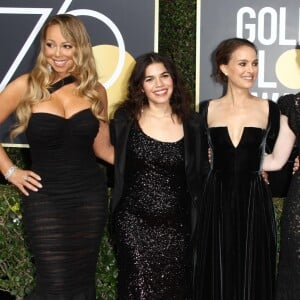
<point>61,107</point>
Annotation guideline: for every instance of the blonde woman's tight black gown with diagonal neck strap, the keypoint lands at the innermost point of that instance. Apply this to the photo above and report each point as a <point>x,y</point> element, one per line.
<point>64,220</point>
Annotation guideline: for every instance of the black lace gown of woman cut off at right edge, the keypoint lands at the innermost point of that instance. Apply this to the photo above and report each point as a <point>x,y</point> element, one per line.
<point>288,281</point>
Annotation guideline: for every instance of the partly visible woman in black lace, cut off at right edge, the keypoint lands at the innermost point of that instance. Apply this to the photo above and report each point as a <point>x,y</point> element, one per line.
<point>288,280</point>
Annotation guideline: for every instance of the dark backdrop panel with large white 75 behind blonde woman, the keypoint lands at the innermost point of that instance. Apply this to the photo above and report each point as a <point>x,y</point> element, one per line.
<point>119,30</point>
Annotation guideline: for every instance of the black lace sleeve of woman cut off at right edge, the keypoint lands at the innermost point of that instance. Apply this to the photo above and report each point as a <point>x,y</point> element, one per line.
<point>289,106</point>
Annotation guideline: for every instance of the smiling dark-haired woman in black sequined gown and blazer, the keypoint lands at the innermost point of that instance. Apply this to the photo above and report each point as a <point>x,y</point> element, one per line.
<point>157,167</point>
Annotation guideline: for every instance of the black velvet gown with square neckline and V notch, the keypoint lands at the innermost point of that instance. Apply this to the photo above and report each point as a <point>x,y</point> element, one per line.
<point>237,231</point>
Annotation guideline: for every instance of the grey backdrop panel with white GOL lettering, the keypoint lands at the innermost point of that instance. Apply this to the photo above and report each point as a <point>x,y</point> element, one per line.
<point>273,26</point>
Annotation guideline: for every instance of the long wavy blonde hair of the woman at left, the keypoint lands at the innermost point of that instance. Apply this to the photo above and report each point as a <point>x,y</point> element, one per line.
<point>41,78</point>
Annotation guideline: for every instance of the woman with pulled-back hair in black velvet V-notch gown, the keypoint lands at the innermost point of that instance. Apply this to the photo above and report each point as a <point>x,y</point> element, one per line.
<point>237,231</point>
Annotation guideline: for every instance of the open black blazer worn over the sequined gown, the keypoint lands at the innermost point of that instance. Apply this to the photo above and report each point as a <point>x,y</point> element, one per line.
<point>119,131</point>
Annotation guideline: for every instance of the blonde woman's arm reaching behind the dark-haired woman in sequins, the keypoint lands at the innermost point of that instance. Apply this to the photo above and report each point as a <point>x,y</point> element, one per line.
<point>102,145</point>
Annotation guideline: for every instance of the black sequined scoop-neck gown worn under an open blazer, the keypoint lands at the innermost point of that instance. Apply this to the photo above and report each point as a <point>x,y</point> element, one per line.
<point>151,223</point>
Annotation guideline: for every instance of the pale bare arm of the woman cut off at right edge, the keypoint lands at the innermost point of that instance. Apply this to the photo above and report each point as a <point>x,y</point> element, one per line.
<point>282,149</point>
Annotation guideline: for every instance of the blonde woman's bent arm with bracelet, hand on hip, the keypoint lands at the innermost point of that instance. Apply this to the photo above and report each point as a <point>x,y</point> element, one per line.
<point>10,98</point>
